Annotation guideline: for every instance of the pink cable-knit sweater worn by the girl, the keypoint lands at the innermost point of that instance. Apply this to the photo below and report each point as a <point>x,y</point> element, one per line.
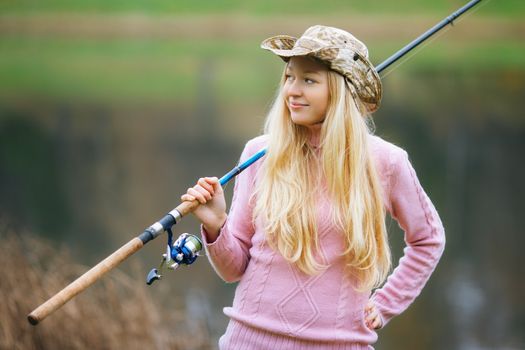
<point>276,306</point>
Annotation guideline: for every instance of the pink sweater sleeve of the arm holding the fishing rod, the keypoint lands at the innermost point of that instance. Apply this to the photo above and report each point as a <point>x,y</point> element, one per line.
<point>229,254</point>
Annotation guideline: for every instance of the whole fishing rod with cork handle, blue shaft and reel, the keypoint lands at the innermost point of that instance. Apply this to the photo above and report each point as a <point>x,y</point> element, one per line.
<point>185,249</point>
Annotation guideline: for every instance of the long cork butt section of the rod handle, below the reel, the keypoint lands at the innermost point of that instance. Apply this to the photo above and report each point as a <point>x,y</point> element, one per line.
<point>84,281</point>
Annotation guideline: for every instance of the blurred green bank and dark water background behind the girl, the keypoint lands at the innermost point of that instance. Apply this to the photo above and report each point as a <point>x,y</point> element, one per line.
<point>109,110</point>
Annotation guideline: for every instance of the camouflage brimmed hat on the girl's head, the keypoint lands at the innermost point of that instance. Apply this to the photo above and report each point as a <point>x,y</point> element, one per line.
<point>341,51</point>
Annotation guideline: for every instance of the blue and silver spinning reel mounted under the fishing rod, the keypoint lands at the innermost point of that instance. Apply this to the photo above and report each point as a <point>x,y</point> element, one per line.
<point>184,250</point>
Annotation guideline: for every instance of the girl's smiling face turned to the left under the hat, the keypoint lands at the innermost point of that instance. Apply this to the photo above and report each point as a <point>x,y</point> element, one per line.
<point>306,91</point>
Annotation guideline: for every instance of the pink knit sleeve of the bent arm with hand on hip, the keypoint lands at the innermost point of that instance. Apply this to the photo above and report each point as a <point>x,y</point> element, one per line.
<point>424,238</point>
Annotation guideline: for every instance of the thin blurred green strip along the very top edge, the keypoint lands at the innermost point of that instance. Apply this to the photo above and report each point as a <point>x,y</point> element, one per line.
<point>258,7</point>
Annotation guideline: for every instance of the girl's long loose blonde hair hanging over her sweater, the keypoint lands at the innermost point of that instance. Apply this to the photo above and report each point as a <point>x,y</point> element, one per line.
<point>292,170</point>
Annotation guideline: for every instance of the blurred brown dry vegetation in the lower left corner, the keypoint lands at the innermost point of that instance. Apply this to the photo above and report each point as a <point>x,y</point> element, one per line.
<point>115,313</point>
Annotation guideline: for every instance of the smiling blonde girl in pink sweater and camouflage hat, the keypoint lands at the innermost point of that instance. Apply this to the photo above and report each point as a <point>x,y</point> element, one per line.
<point>306,234</point>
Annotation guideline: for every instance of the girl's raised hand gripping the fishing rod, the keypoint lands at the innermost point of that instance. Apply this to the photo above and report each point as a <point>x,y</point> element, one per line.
<point>212,211</point>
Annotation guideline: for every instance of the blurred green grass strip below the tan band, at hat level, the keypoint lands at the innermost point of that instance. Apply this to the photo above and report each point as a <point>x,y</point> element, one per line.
<point>164,71</point>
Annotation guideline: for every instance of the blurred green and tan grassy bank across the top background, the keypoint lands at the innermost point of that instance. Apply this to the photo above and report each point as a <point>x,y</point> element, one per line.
<point>153,52</point>
